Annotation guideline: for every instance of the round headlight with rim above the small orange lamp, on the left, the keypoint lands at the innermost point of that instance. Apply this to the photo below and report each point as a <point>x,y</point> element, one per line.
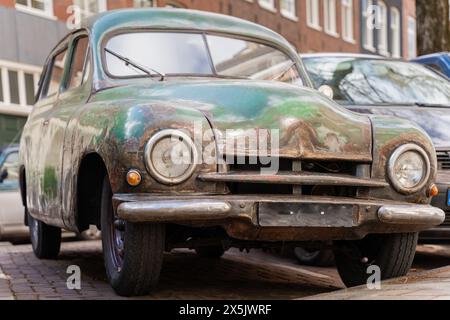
<point>171,157</point>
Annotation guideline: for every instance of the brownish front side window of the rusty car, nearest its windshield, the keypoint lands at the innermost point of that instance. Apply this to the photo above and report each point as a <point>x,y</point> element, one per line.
<point>79,65</point>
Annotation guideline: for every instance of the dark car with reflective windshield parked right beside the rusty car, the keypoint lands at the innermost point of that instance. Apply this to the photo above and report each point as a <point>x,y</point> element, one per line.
<point>378,86</point>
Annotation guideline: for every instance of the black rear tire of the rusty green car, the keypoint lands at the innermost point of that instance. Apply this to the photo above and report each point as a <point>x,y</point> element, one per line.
<point>45,239</point>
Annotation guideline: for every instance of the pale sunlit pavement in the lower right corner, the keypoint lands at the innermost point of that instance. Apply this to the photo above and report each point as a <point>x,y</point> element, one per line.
<point>426,285</point>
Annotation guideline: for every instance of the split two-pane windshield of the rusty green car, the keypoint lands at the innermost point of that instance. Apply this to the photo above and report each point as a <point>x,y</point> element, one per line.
<point>192,54</point>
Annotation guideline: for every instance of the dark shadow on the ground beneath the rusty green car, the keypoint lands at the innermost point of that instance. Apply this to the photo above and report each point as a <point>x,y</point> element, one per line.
<point>187,276</point>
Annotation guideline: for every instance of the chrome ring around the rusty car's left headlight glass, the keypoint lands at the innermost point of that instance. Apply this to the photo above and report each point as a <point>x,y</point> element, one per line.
<point>154,140</point>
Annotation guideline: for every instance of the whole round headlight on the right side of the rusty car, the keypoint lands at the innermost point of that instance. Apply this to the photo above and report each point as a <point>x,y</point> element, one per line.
<point>409,168</point>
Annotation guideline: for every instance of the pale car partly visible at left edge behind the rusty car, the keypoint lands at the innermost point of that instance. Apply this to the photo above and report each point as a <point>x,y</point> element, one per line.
<point>11,209</point>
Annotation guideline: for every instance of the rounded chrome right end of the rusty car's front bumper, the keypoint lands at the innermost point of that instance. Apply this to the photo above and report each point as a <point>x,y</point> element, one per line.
<point>411,215</point>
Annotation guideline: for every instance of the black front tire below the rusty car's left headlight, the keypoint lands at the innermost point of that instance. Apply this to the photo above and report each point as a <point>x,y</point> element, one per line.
<point>133,266</point>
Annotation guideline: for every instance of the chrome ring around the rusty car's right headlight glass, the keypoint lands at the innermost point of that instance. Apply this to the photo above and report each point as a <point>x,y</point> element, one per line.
<point>392,163</point>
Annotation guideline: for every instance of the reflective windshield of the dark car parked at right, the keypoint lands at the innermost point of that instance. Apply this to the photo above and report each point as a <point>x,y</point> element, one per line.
<point>368,81</point>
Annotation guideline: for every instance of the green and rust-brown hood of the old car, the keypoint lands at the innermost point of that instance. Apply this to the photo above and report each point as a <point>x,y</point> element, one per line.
<point>309,125</point>
